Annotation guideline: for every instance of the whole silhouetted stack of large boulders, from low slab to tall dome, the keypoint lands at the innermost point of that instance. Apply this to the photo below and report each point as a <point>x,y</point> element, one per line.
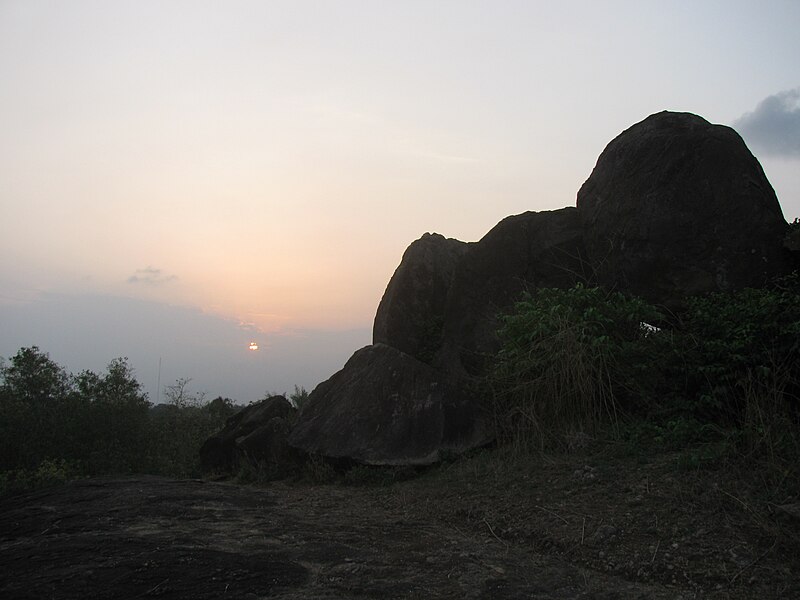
<point>675,206</point>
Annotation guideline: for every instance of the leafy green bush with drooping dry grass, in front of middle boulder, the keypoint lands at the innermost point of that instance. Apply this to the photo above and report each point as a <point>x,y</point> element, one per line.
<point>569,358</point>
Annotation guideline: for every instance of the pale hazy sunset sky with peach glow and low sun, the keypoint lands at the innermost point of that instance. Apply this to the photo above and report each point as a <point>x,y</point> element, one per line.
<point>180,178</point>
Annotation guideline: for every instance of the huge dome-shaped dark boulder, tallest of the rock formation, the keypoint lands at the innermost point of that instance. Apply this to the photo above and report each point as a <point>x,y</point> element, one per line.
<point>677,206</point>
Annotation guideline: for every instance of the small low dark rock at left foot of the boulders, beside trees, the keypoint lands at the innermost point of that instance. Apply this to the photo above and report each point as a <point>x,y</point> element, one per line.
<point>257,432</point>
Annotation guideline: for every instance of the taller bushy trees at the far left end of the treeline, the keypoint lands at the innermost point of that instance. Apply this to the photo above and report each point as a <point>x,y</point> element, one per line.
<point>95,422</point>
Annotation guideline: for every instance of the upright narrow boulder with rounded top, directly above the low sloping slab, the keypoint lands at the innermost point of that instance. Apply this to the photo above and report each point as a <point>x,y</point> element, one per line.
<point>410,315</point>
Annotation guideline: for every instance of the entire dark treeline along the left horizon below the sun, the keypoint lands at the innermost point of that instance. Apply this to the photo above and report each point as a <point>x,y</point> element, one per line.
<point>57,426</point>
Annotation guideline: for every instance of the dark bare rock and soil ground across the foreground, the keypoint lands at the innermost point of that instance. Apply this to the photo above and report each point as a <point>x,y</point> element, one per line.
<point>563,527</point>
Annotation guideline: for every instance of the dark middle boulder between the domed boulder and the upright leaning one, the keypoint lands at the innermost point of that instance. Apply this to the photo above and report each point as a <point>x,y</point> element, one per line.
<point>522,252</point>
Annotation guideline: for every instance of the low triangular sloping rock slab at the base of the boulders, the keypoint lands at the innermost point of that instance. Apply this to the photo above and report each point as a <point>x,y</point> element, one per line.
<point>387,408</point>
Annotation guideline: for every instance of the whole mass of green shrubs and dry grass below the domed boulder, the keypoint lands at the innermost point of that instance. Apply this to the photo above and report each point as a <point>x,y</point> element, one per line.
<point>722,374</point>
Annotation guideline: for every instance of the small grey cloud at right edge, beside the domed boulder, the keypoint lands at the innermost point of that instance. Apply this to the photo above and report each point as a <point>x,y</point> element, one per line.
<point>774,126</point>
